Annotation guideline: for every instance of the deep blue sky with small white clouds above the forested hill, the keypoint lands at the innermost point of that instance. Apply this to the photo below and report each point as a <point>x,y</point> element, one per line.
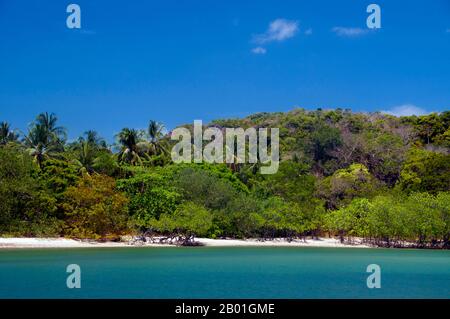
<point>176,61</point>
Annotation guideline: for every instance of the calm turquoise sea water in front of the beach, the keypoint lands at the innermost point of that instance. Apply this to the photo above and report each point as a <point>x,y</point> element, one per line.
<point>232,272</point>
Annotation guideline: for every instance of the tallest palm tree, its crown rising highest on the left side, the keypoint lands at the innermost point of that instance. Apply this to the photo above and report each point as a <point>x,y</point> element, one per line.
<point>44,138</point>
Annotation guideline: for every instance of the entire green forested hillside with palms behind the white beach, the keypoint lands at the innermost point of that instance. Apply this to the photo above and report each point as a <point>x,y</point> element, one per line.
<point>383,178</point>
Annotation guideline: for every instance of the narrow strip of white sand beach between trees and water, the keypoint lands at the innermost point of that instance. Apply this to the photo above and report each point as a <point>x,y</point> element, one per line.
<point>30,243</point>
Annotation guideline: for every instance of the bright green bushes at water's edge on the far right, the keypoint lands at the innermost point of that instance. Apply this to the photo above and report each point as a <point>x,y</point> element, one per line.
<point>389,220</point>
